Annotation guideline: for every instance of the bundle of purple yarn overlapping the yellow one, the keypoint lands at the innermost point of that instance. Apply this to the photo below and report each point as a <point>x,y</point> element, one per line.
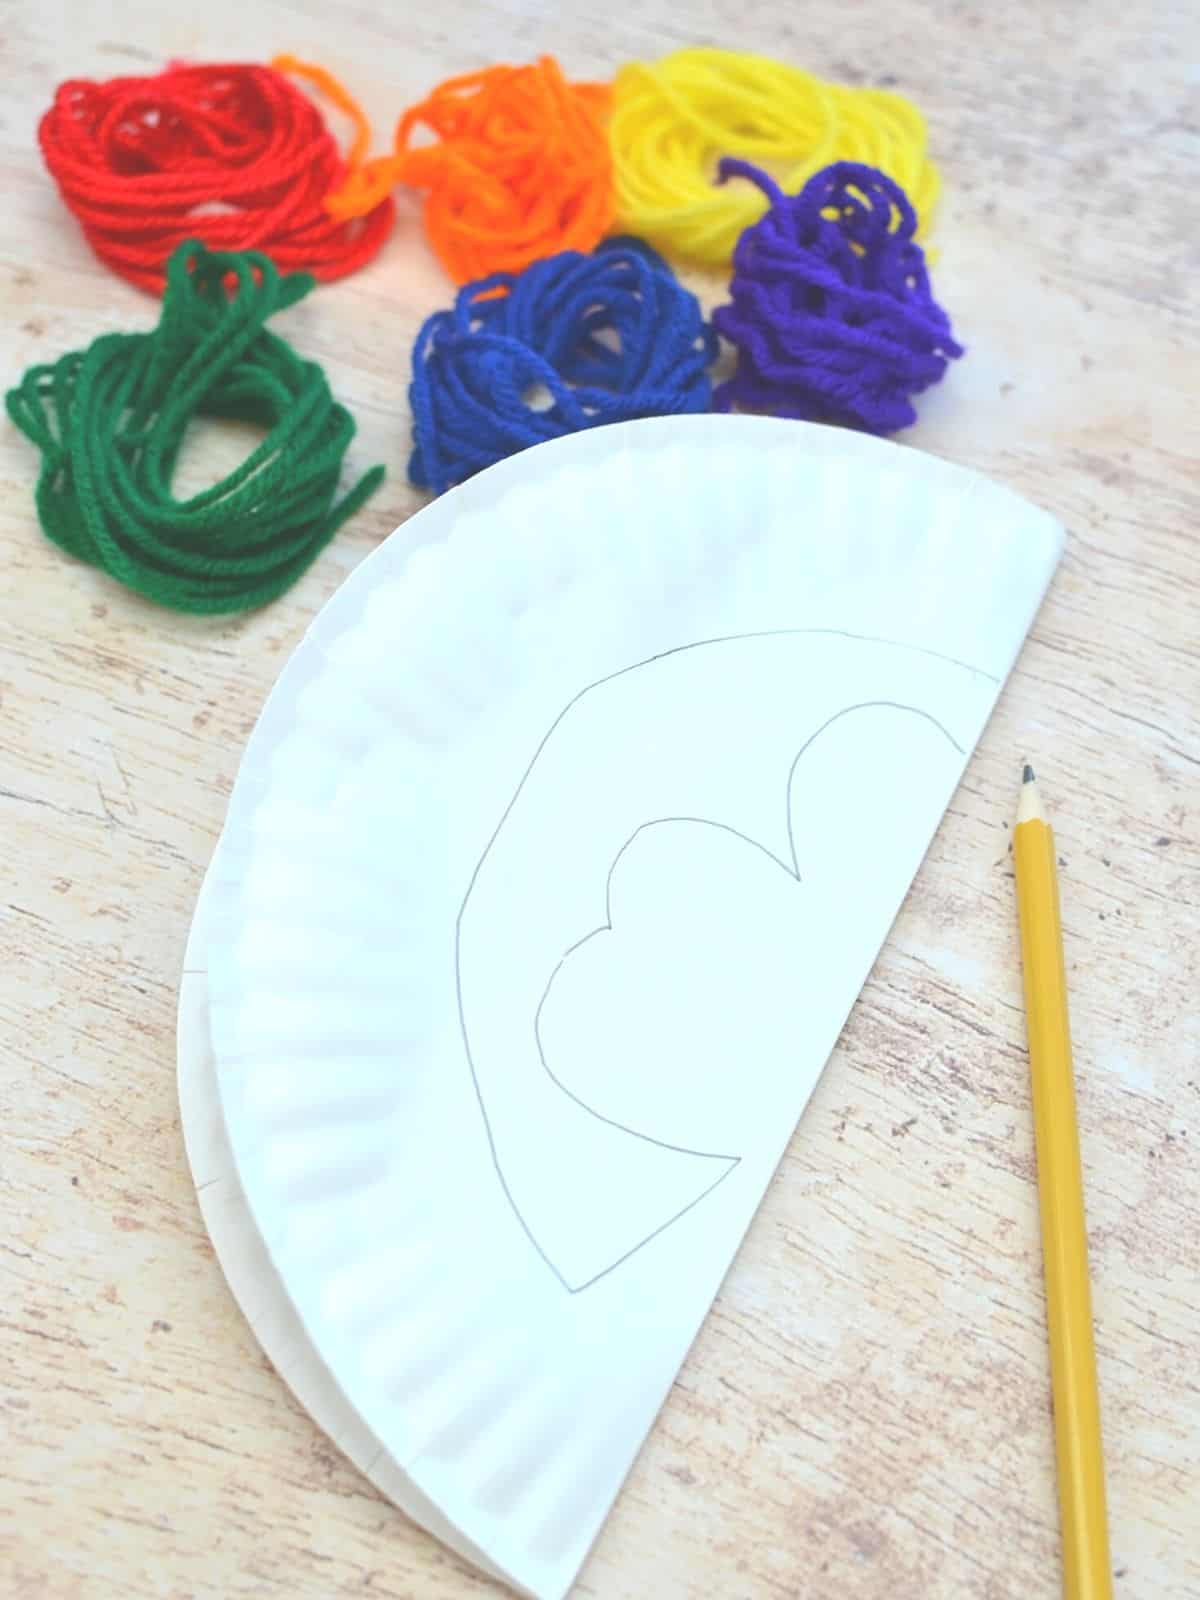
<point>833,316</point>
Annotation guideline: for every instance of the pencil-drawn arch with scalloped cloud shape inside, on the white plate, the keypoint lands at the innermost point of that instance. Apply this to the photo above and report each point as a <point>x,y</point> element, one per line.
<point>655,929</point>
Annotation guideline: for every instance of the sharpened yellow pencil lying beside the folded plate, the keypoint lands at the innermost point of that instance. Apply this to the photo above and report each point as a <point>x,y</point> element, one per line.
<point>1065,1236</point>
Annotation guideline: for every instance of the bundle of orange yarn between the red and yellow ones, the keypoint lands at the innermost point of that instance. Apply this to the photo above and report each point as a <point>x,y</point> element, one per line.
<point>519,170</point>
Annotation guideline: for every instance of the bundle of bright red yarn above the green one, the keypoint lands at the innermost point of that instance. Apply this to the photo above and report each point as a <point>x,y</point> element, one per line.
<point>236,156</point>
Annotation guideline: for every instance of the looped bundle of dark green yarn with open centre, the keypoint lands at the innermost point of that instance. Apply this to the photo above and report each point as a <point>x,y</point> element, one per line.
<point>111,422</point>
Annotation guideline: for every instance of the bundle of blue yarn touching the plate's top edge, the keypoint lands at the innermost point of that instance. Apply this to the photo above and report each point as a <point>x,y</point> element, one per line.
<point>574,342</point>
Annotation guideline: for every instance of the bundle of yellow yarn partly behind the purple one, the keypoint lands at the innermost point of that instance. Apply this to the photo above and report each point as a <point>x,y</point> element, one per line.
<point>673,121</point>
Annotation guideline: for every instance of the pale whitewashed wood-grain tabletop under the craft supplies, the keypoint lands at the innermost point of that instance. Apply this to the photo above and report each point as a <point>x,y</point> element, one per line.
<point>866,1412</point>
